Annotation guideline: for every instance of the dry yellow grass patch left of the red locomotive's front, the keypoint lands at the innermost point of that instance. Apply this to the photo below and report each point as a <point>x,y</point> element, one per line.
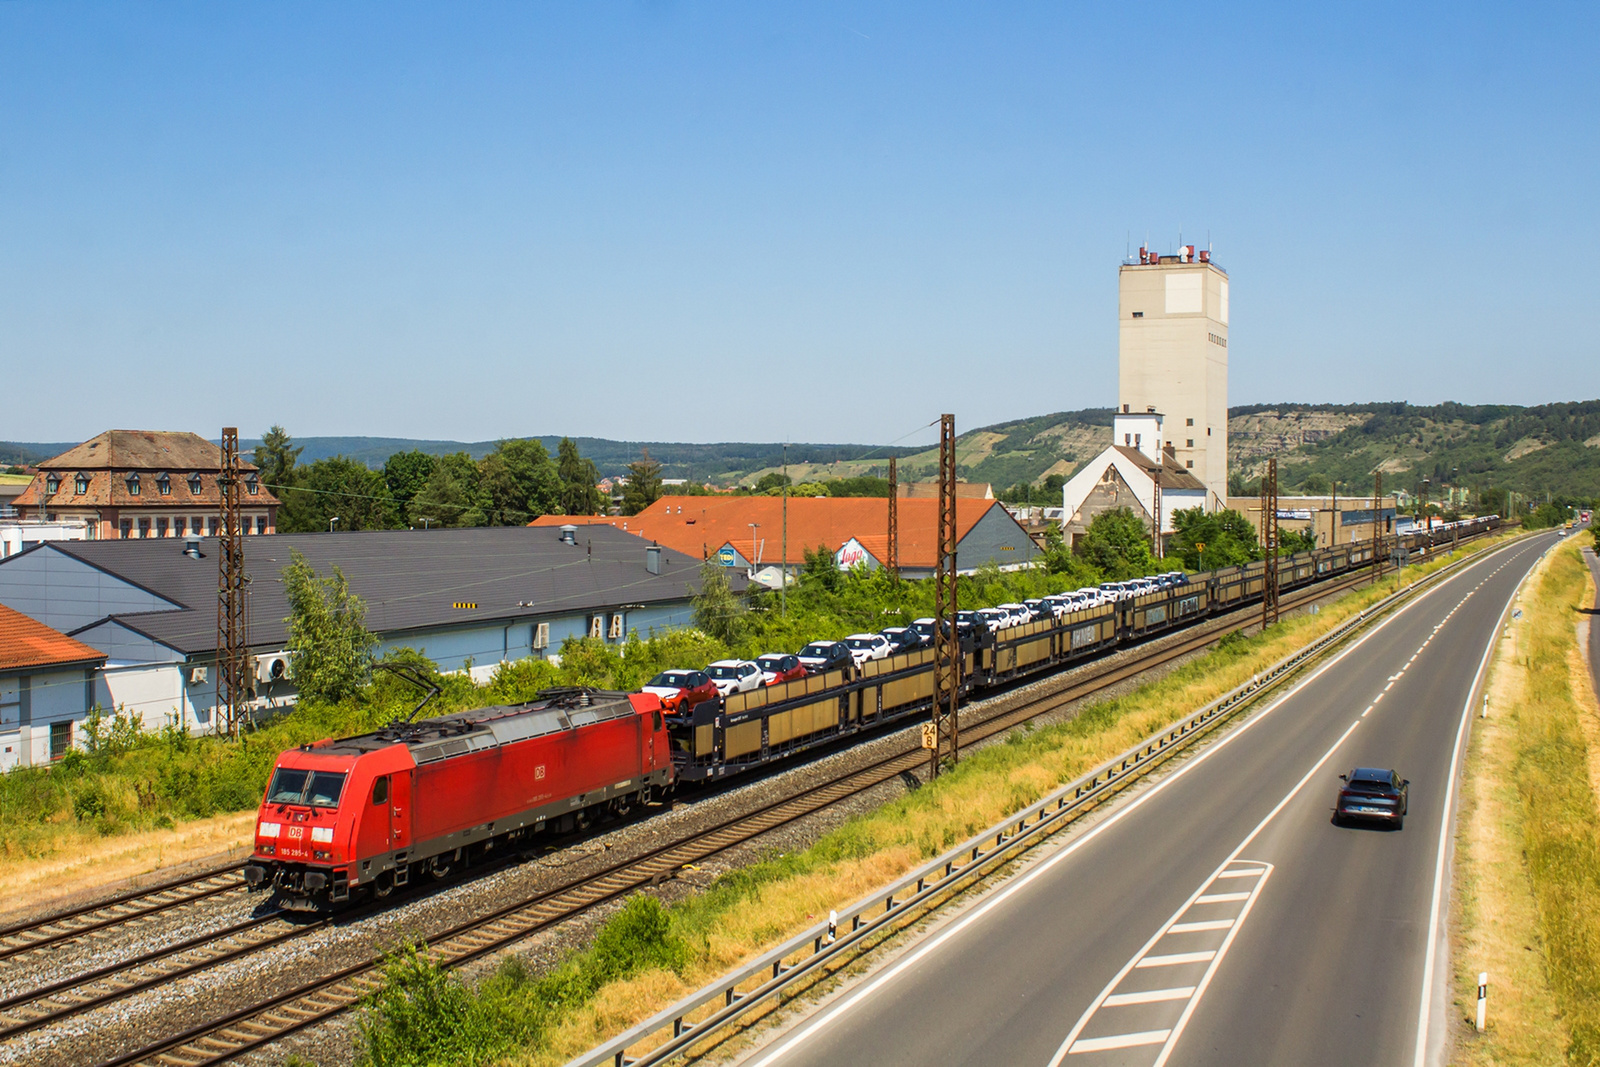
<point>92,863</point>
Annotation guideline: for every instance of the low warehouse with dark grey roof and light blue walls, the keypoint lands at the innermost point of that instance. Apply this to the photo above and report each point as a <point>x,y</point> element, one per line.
<point>468,599</point>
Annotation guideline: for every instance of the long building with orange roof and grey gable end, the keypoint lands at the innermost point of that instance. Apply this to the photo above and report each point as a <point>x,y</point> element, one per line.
<point>769,538</point>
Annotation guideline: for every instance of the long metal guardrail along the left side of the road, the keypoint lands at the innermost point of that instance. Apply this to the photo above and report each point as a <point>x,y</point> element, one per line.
<point>807,953</point>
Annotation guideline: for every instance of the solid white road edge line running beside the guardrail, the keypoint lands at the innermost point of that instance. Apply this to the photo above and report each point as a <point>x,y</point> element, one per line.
<point>831,1015</point>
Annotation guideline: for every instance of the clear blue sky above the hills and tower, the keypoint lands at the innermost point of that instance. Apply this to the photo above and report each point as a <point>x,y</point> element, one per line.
<point>774,222</point>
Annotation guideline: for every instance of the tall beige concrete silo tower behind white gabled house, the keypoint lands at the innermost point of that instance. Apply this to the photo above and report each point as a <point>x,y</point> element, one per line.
<point>1174,358</point>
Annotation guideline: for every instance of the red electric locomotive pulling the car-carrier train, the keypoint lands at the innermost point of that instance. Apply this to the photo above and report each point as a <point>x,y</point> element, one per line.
<point>364,815</point>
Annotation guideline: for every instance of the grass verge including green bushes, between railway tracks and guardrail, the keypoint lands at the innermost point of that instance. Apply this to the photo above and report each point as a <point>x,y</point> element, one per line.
<point>540,1021</point>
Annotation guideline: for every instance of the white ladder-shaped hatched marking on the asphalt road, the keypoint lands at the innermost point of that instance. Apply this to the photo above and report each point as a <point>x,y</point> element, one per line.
<point>1116,1015</point>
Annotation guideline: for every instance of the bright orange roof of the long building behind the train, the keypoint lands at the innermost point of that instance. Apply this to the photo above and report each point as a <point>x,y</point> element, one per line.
<point>700,526</point>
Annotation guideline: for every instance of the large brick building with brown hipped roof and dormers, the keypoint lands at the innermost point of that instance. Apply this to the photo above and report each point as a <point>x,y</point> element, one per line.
<point>143,484</point>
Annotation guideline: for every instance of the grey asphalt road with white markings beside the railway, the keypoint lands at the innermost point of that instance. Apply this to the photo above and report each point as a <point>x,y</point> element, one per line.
<point>1220,917</point>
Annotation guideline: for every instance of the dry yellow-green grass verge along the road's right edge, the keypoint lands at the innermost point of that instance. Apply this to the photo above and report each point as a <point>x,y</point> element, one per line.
<point>1527,876</point>
